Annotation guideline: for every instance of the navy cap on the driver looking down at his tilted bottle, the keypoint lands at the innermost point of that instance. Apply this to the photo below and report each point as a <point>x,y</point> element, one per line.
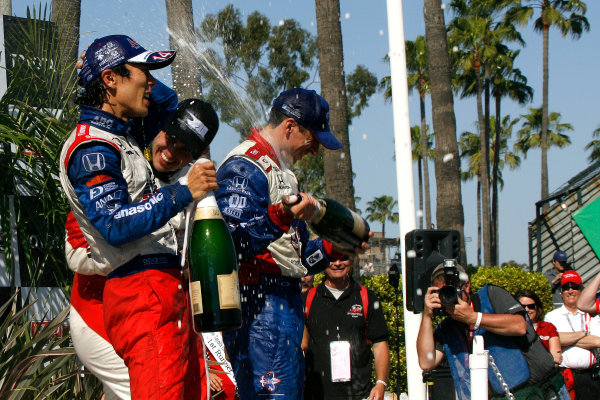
<point>309,110</point>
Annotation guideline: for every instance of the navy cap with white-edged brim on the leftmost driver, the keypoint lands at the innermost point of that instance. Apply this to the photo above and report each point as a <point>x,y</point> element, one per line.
<point>113,50</point>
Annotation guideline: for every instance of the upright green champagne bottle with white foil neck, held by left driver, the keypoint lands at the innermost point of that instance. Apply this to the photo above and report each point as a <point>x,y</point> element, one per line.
<point>214,290</point>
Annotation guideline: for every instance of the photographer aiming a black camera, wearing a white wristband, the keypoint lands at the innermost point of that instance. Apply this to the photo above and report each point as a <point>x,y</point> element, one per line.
<point>525,366</point>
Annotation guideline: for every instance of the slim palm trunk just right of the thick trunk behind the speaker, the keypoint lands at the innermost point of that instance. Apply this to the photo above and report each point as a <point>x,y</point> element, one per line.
<point>484,174</point>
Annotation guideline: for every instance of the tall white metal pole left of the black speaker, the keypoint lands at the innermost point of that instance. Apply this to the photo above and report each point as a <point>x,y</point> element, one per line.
<point>404,177</point>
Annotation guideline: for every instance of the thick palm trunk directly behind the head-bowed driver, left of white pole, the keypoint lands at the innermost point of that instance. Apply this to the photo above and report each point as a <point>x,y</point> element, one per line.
<point>337,164</point>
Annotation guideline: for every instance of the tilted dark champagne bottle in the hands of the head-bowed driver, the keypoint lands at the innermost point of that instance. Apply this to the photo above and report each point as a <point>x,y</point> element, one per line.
<point>340,225</point>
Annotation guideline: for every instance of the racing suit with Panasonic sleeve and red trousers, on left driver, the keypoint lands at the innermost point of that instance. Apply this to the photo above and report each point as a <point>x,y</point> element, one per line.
<point>125,218</point>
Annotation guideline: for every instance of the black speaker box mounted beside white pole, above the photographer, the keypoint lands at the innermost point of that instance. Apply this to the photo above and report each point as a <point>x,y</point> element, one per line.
<point>424,250</point>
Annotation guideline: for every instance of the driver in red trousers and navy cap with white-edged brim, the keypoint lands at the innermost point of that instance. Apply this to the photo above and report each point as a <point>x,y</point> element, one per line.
<point>125,218</point>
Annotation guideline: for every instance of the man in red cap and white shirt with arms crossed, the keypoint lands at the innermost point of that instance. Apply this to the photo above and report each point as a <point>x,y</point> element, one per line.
<point>579,335</point>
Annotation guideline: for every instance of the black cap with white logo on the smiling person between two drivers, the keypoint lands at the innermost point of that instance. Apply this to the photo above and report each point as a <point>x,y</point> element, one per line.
<point>195,123</point>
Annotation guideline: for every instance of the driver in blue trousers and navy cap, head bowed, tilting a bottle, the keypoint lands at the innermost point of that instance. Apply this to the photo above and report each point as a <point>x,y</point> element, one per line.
<point>272,242</point>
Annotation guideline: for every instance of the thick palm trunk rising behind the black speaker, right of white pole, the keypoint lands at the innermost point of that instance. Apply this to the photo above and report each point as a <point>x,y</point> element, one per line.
<point>449,209</point>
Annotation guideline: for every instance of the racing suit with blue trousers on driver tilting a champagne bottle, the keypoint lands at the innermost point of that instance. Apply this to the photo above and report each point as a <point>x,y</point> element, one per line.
<point>274,253</point>
